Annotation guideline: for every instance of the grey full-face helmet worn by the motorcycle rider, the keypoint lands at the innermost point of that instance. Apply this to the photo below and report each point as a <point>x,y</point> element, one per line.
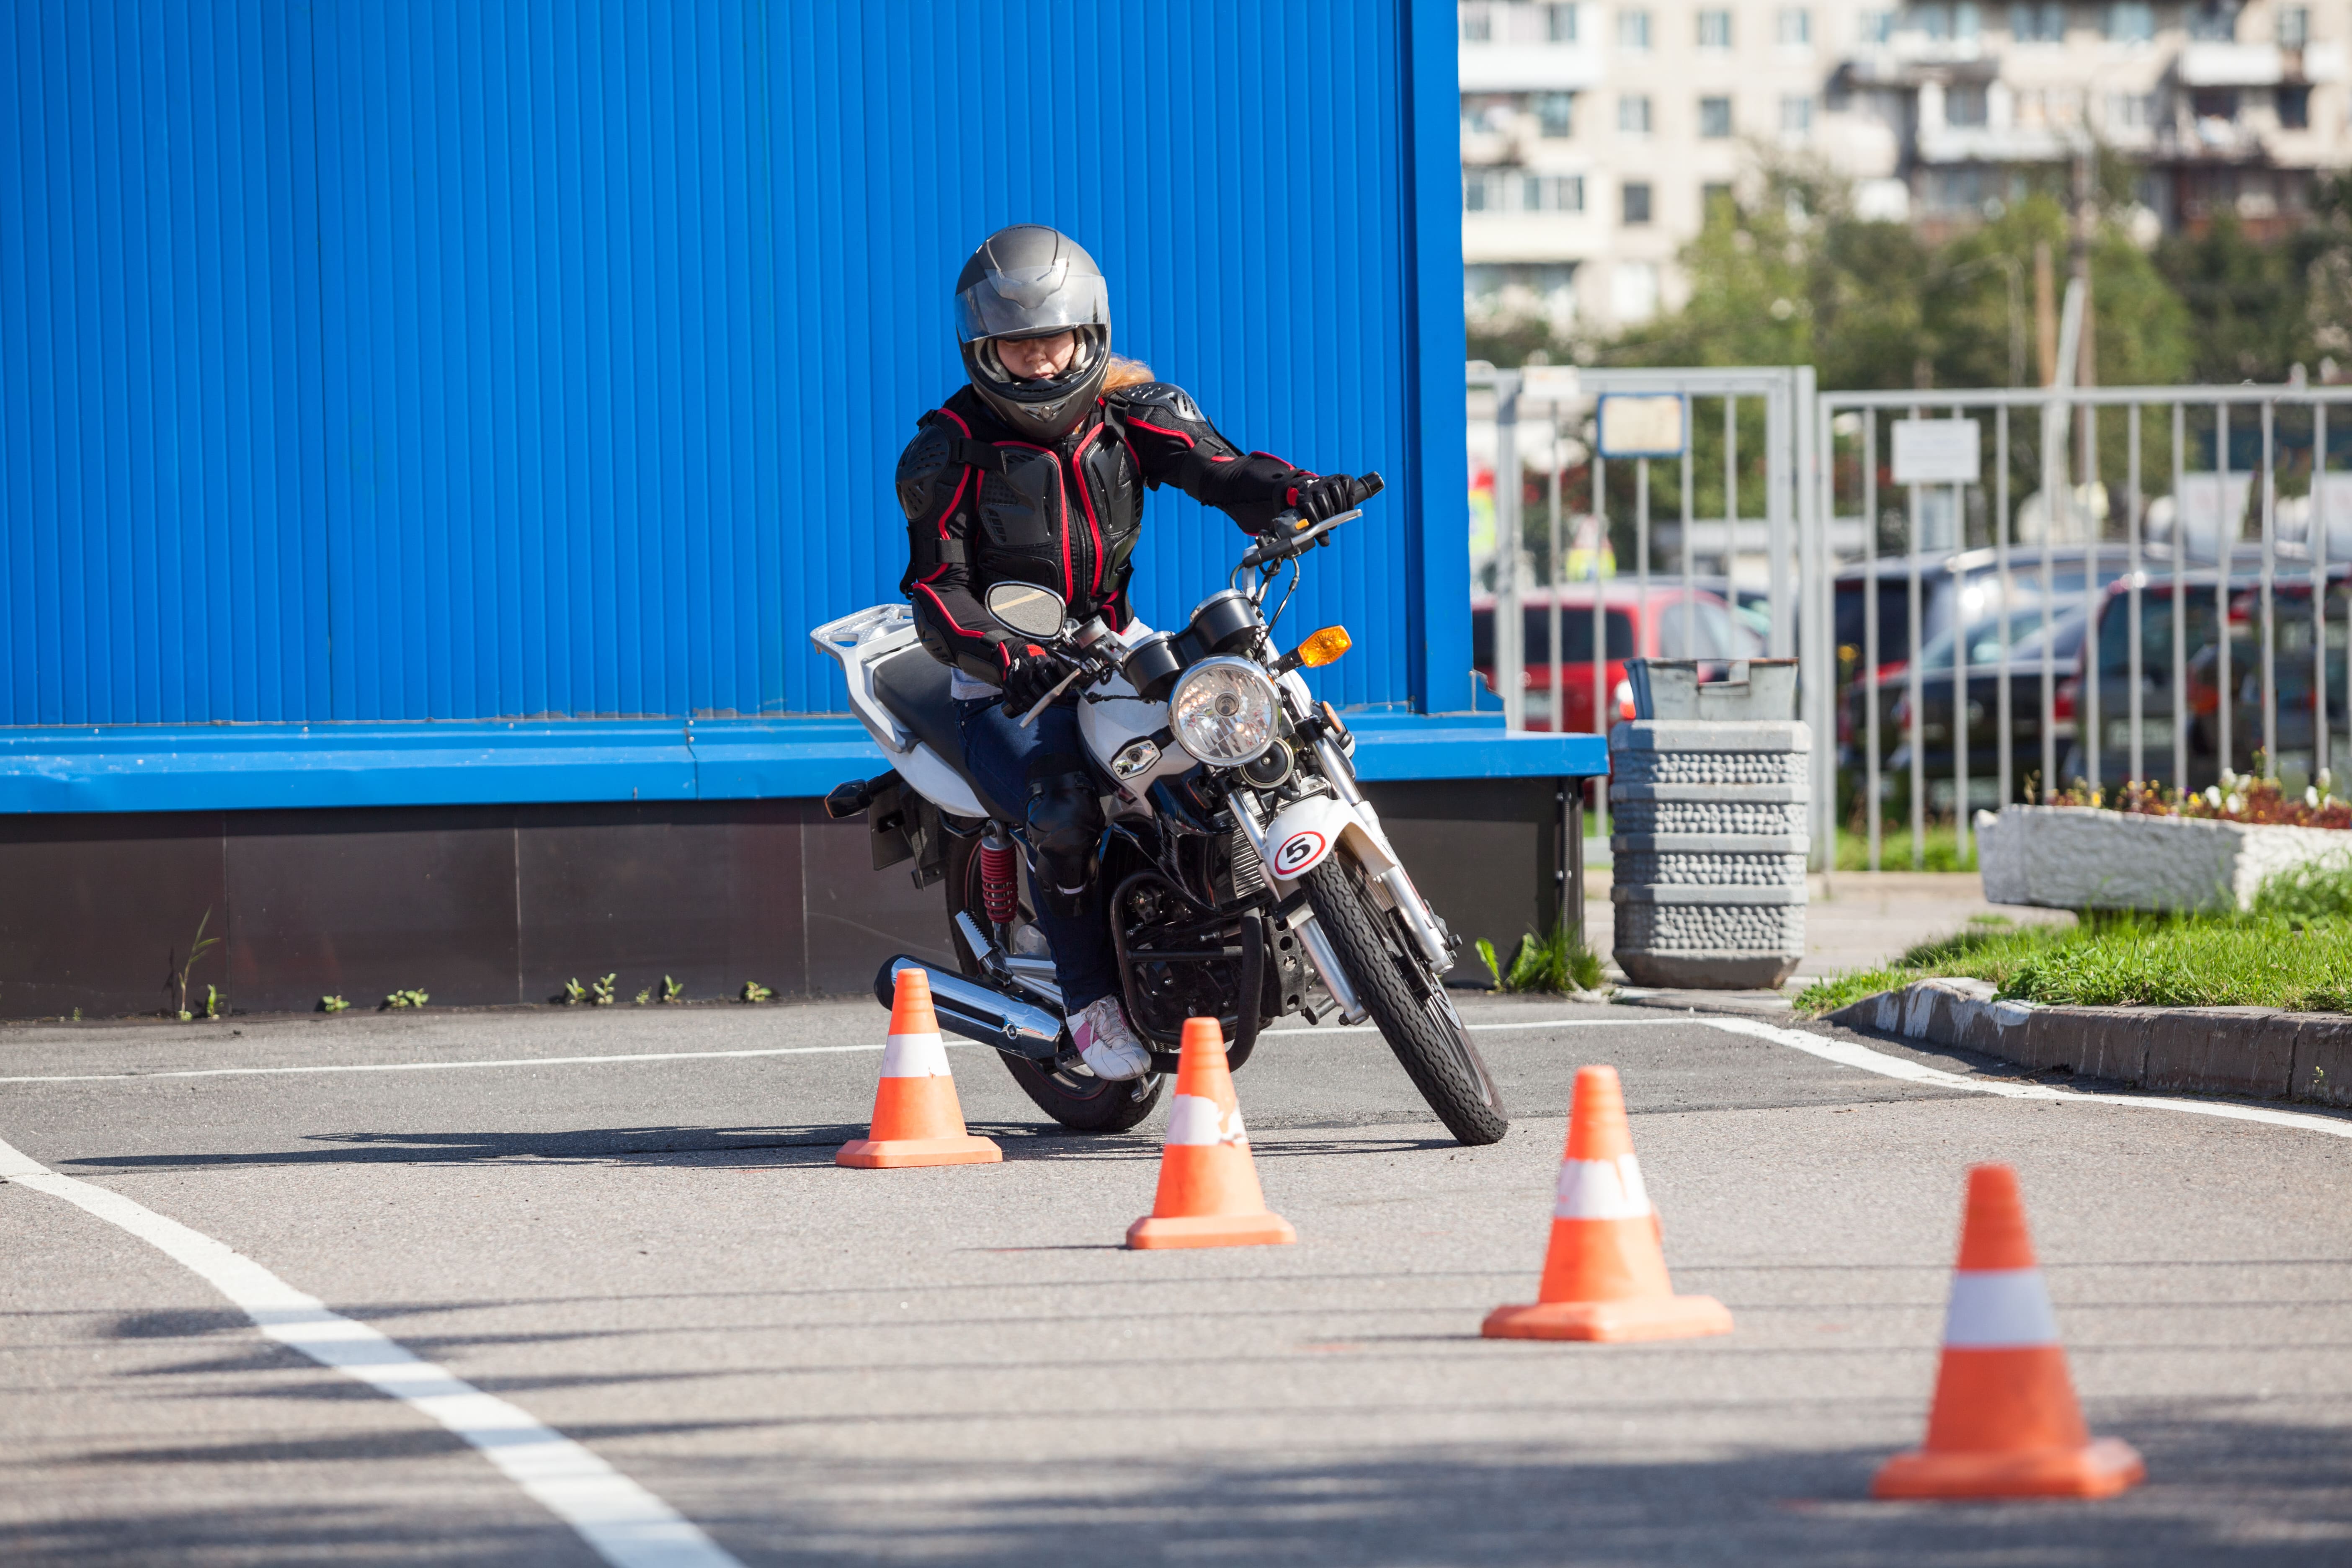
<point>1029,283</point>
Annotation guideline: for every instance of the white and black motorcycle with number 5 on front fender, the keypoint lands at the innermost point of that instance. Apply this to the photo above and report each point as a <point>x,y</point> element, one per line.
<point>1250,878</point>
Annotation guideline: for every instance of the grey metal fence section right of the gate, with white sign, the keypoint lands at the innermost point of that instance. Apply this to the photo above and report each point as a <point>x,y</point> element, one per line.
<point>2132,587</point>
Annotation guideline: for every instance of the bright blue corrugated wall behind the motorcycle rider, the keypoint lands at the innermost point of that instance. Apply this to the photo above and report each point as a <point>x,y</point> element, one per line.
<point>453,359</point>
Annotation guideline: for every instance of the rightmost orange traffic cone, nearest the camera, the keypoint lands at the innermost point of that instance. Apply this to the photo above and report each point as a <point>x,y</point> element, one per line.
<point>2005,1421</point>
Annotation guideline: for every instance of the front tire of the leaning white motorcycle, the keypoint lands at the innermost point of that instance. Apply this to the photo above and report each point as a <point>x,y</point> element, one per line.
<point>1412,1010</point>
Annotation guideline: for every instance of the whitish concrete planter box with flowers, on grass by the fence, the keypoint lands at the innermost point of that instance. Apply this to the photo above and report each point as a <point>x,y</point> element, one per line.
<point>2080,859</point>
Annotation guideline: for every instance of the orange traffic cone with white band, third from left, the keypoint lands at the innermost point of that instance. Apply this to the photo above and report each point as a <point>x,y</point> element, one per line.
<point>1605,1278</point>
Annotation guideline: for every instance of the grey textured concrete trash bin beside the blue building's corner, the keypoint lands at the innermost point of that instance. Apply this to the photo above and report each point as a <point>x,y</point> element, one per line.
<point>1709,791</point>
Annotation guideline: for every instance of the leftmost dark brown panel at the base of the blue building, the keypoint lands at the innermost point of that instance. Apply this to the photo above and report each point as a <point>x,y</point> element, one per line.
<point>98,911</point>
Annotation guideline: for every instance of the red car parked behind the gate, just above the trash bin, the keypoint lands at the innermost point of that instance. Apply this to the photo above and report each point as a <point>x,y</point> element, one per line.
<point>1666,624</point>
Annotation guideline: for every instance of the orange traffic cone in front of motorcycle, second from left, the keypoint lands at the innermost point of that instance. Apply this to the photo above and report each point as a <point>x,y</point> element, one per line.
<point>1208,1184</point>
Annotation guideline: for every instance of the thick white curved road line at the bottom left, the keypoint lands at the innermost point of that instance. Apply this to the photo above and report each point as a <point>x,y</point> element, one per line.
<point>620,1520</point>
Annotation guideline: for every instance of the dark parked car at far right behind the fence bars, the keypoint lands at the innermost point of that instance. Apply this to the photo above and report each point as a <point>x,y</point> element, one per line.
<point>2292,622</point>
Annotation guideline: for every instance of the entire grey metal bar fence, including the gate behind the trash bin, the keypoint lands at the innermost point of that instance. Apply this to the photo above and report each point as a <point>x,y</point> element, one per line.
<point>1993,594</point>
